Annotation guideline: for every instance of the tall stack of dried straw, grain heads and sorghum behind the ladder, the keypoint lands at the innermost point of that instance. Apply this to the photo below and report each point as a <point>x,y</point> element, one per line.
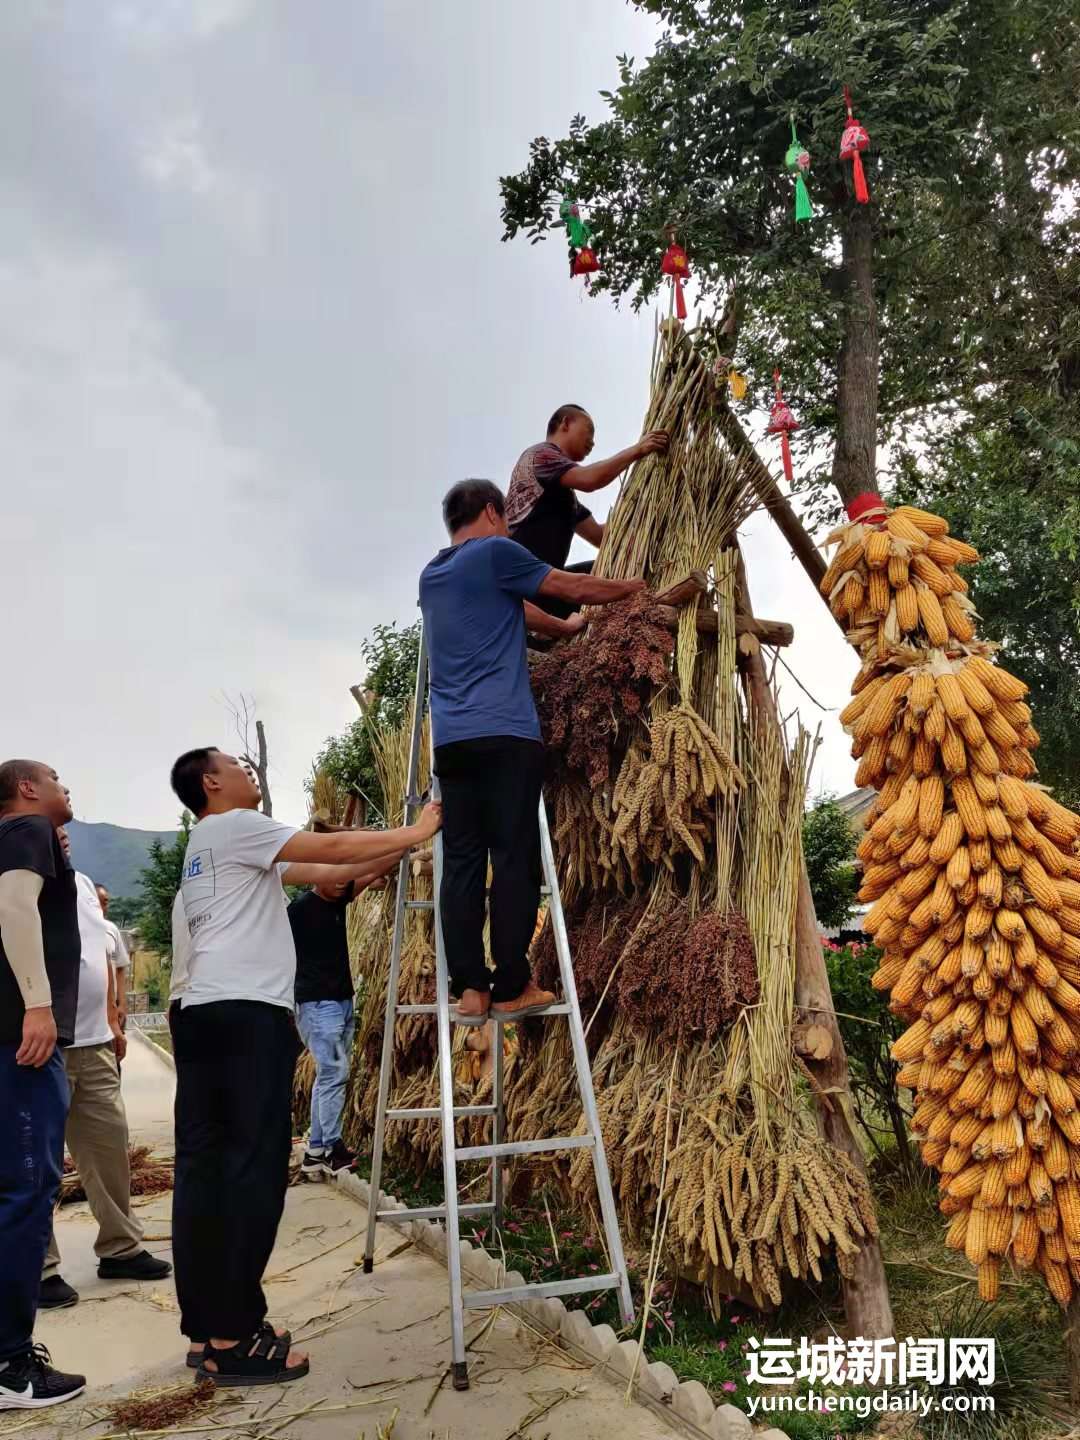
<point>688,822</point>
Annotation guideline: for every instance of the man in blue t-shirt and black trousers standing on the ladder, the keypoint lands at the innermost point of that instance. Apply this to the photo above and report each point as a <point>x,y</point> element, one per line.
<point>476,597</point>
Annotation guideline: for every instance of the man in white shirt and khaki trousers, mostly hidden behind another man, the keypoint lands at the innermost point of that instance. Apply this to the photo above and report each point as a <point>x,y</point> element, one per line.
<point>97,1131</point>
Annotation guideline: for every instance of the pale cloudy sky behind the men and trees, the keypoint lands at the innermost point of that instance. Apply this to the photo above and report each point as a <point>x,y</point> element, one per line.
<point>256,319</point>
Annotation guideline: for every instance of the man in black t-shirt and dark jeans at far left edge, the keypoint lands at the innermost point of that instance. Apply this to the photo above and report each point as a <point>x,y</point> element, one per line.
<point>40,989</point>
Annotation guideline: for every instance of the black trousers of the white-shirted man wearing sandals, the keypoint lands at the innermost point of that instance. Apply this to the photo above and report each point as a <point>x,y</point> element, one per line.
<point>234,1133</point>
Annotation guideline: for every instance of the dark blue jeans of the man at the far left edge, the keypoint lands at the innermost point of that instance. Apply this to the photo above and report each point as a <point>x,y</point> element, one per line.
<point>34,1108</point>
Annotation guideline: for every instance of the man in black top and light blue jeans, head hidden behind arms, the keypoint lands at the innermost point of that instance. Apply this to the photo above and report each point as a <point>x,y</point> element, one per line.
<point>325,1016</point>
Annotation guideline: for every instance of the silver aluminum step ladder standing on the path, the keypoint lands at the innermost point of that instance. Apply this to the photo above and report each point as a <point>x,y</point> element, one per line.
<point>449,1112</point>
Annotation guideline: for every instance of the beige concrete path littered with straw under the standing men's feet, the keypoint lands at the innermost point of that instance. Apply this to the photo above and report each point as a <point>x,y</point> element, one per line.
<point>378,1344</point>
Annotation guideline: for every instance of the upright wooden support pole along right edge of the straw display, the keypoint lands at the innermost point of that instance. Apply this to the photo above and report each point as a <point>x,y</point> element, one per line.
<point>866,1291</point>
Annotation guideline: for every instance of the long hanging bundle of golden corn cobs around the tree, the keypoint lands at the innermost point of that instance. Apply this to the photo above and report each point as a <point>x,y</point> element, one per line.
<point>974,878</point>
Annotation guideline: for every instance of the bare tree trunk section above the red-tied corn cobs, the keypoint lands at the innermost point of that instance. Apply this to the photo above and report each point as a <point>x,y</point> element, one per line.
<point>855,459</point>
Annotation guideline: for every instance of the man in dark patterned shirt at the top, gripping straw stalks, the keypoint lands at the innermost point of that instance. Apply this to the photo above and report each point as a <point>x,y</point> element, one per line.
<point>544,510</point>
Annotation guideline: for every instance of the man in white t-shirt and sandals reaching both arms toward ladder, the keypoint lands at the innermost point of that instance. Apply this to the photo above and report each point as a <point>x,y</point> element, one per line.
<point>235,1049</point>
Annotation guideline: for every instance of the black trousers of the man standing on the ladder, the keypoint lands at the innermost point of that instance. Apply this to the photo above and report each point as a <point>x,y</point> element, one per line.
<point>490,801</point>
